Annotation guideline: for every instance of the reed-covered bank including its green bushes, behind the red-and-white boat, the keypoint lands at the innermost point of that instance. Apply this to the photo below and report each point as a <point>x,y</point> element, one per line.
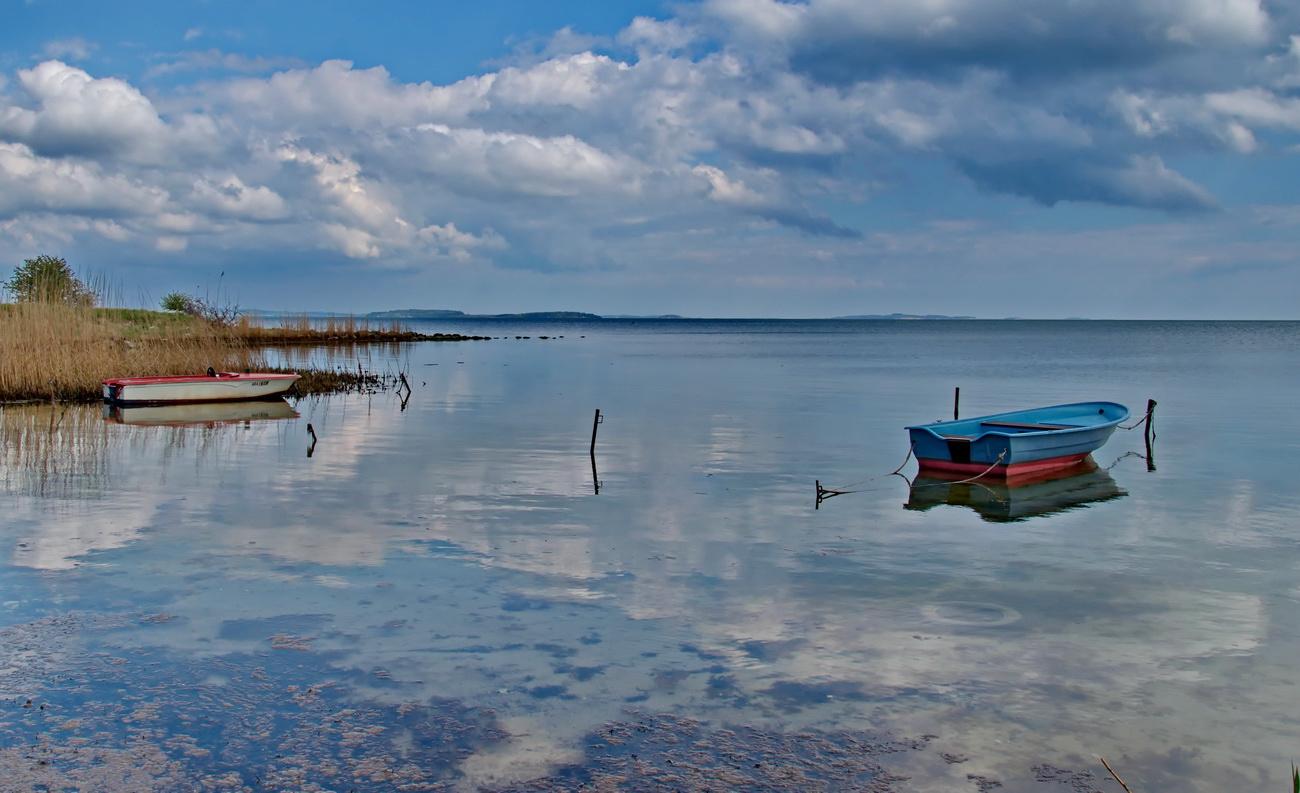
<point>57,343</point>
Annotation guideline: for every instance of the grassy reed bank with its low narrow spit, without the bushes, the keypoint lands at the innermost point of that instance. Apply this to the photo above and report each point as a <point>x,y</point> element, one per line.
<point>51,350</point>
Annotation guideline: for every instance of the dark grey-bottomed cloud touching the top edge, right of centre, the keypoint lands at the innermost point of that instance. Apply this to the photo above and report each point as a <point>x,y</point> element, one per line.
<point>847,41</point>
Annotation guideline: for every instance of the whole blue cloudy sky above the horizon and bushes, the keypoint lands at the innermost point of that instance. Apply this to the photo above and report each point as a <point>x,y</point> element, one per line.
<point>1107,159</point>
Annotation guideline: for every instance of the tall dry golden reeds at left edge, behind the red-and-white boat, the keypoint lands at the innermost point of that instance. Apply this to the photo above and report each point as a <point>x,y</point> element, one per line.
<point>49,349</point>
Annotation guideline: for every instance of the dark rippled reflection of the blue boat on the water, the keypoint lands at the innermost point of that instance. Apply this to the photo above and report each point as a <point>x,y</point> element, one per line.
<point>1020,499</point>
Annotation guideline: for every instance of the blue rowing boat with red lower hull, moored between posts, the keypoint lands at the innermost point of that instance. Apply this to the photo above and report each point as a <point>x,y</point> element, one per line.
<point>1016,444</point>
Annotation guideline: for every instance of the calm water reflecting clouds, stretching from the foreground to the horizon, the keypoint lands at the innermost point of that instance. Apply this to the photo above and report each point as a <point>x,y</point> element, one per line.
<point>445,596</point>
